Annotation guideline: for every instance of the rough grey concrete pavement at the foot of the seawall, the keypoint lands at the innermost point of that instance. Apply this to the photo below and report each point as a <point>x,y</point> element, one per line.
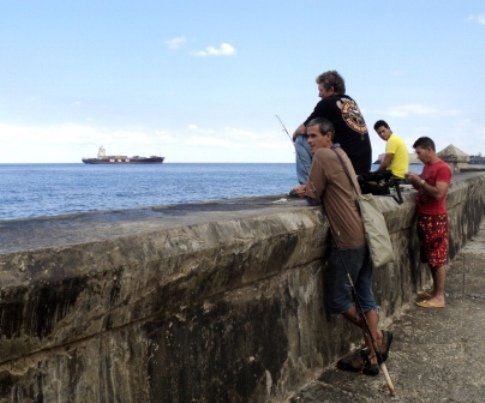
<point>438,355</point>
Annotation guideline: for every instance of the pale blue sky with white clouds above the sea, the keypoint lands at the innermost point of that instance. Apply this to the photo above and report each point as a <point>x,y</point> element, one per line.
<point>203,80</point>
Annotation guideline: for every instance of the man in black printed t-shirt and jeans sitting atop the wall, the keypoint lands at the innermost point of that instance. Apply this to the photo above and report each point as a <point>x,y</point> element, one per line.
<point>350,128</point>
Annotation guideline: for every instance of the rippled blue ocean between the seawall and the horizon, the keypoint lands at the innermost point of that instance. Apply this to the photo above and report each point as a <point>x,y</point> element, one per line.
<point>34,190</point>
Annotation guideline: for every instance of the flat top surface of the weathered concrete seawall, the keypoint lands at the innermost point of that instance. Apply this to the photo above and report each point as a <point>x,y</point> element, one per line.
<point>72,229</point>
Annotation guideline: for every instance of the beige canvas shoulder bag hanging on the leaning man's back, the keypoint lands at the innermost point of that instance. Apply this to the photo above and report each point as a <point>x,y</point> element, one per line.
<point>375,228</point>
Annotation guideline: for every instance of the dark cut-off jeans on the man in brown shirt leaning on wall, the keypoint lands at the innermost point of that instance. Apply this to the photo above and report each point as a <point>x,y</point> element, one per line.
<point>338,292</point>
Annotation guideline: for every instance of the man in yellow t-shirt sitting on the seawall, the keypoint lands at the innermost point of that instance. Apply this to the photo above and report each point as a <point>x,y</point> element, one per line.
<point>396,158</point>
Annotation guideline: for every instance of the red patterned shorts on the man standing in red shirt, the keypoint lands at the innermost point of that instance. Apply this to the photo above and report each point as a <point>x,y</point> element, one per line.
<point>433,236</point>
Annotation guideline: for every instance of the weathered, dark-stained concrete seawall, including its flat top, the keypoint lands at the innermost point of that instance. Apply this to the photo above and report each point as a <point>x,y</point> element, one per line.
<point>210,303</point>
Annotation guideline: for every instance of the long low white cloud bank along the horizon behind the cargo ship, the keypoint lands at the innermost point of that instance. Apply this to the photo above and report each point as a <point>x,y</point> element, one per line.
<point>69,142</point>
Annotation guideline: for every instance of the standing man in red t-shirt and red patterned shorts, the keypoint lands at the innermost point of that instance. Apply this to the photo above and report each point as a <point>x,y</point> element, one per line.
<point>432,186</point>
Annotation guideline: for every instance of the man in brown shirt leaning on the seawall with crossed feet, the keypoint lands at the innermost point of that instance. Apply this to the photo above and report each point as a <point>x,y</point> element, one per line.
<point>329,183</point>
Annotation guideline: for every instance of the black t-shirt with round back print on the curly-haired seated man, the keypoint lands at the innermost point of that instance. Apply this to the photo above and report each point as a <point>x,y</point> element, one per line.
<point>350,129</point>
